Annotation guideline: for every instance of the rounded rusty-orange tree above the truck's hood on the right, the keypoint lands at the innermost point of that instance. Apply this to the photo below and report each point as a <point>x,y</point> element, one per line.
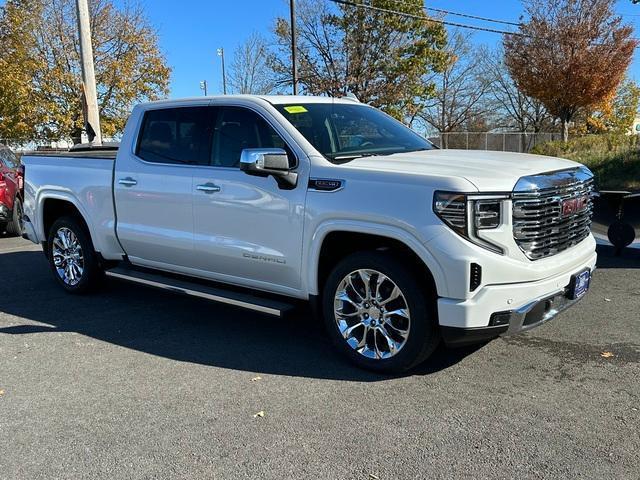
<point>569,54</point>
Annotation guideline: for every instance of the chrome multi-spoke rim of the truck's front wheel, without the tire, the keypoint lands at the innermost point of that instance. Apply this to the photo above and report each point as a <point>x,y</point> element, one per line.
<point>372,314</point>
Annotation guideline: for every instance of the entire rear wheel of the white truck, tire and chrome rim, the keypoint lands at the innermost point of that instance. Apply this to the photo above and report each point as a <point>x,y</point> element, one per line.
<point>72,259</point>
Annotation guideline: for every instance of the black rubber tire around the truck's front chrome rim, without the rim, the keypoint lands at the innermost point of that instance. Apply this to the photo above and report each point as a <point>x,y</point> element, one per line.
<point>422,331</point>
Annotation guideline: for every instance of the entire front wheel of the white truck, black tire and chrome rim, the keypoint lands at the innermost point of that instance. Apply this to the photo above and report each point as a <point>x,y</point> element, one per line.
<point>378,314</point>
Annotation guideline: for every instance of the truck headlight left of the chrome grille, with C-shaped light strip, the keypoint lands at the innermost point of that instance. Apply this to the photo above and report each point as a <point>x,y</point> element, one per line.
<point>466,214</point>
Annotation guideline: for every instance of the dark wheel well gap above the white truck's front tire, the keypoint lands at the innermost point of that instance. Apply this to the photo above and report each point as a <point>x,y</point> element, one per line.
<point>337,245</point>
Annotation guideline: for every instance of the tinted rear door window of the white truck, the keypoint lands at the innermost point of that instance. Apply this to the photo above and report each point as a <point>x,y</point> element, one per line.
<point>176,135</point>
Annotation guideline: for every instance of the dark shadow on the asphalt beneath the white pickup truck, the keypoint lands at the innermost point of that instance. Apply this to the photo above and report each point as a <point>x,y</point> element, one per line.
<point>181,328</point>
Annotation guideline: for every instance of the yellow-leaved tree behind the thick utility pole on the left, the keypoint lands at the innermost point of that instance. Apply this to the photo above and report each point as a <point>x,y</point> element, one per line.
<point>129,65</point>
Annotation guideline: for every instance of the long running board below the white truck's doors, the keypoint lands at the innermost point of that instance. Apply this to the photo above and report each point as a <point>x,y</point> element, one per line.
<point>185,287</point>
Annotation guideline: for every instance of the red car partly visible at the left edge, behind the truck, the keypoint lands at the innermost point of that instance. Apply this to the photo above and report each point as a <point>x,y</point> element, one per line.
<point>11,184</point>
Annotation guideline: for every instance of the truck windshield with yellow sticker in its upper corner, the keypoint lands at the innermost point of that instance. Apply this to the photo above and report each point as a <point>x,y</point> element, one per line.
<point>342,132</point>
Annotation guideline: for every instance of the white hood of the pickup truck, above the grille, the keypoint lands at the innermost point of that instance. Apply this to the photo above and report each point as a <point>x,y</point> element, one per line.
<point>488,171</point>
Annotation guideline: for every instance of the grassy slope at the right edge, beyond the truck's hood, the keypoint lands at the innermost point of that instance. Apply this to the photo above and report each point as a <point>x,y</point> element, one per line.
<point>614,159</point>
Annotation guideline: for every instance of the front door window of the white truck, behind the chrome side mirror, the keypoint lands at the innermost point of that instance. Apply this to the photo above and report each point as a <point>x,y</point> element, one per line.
<point>239,128</point>
